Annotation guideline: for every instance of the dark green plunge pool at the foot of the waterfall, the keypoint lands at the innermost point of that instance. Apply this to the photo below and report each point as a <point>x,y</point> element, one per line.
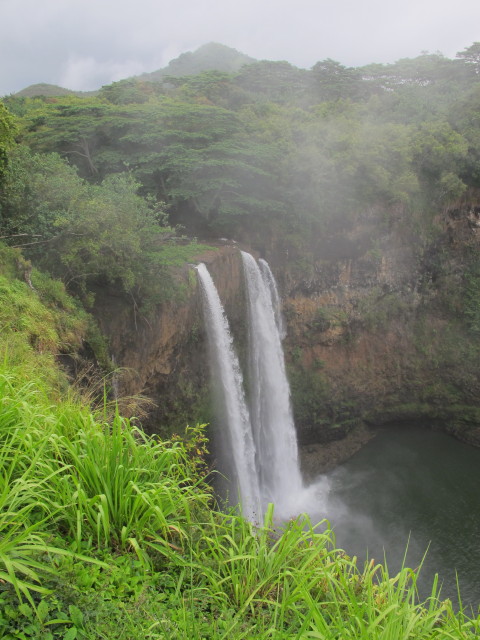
<point>417,484</point>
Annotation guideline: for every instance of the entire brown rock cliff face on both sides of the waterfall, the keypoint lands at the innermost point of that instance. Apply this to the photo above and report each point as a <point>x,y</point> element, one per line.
<point>378,331</point>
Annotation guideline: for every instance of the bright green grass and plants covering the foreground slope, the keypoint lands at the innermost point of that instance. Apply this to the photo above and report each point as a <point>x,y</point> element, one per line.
<point>107,533</point>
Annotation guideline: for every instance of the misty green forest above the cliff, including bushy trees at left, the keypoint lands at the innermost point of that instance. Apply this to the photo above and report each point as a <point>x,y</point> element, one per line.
<point>99,183</point>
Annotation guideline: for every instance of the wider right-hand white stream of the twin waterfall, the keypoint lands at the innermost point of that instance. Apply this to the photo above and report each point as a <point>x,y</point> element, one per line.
<point>271,414</point>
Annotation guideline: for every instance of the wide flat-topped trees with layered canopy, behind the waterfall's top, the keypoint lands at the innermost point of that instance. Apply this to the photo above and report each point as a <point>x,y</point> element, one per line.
<point>195,157</point>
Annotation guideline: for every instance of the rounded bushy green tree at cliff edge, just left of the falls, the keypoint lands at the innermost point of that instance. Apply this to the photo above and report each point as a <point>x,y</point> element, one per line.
<point>111,234</point>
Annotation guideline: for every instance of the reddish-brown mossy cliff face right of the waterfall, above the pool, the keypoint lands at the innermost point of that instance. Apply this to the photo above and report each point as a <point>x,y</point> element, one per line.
<point>382,333</point>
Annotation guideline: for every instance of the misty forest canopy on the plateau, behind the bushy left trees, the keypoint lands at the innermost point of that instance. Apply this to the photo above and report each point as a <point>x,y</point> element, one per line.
<point>275,143</point>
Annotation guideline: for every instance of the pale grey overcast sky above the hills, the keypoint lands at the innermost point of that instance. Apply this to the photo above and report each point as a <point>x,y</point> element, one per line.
<point>84,44</point>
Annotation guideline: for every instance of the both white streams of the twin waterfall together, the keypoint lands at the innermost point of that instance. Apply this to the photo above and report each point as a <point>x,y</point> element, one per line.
<point>261,433</point>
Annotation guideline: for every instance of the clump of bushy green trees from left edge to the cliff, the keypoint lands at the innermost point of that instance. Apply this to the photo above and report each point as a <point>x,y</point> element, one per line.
<point>81,232</point>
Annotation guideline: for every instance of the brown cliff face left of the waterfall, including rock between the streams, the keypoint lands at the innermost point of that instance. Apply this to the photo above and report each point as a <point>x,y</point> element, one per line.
<point>162,357</point>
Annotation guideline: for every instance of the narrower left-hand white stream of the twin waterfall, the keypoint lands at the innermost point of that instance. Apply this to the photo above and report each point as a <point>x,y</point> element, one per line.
<point>229,383</point>
